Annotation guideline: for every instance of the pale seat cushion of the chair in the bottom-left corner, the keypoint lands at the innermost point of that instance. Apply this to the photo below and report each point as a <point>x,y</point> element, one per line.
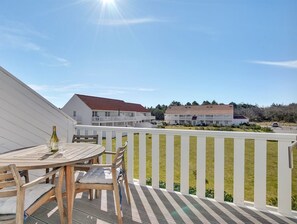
<point>8,204</point>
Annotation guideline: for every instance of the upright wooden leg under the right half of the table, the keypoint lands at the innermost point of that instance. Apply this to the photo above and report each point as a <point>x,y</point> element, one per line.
<point>69,176</point>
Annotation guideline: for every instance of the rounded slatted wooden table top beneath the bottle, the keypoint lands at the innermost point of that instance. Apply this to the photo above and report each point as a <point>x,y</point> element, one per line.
<point>39,157</point>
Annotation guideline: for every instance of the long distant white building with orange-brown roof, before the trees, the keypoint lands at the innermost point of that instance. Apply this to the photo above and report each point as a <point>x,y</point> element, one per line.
<point>204,114</point>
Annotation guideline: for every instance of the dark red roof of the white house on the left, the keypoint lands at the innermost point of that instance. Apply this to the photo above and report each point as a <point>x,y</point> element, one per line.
<point>99,103</point>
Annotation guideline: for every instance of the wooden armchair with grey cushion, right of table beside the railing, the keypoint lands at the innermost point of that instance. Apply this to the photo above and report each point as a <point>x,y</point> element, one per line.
<point>106,177</point>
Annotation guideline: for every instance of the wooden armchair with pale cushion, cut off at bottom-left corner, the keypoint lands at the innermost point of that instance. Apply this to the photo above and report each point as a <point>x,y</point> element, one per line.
<point>19,200</point>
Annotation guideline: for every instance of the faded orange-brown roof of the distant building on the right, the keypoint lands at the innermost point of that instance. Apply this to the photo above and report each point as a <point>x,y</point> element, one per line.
<point>201,110</point>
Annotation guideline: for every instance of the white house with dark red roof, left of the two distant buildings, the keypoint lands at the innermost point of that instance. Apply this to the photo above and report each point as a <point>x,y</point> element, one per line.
<point>91,110</point>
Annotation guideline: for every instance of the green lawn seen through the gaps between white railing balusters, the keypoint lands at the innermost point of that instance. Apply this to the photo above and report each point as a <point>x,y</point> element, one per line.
<point>229,161</point>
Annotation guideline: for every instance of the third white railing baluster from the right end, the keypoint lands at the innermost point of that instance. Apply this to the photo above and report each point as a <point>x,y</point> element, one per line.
<point>238,194</point>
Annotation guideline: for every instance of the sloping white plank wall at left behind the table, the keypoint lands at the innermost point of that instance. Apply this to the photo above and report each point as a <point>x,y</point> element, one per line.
<point>26,118</point>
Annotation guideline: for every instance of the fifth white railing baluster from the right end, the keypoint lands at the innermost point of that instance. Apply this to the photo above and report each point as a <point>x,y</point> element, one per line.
<point>201,166</point>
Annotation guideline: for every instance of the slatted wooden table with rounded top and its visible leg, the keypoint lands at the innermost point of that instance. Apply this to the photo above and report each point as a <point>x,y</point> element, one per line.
<point>39,157</point>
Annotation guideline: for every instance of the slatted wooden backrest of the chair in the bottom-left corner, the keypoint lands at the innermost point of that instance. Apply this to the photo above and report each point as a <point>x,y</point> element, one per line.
<point>9,177</point>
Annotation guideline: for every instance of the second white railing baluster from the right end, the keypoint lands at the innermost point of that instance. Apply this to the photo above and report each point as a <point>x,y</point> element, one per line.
<point>260,173</point>
